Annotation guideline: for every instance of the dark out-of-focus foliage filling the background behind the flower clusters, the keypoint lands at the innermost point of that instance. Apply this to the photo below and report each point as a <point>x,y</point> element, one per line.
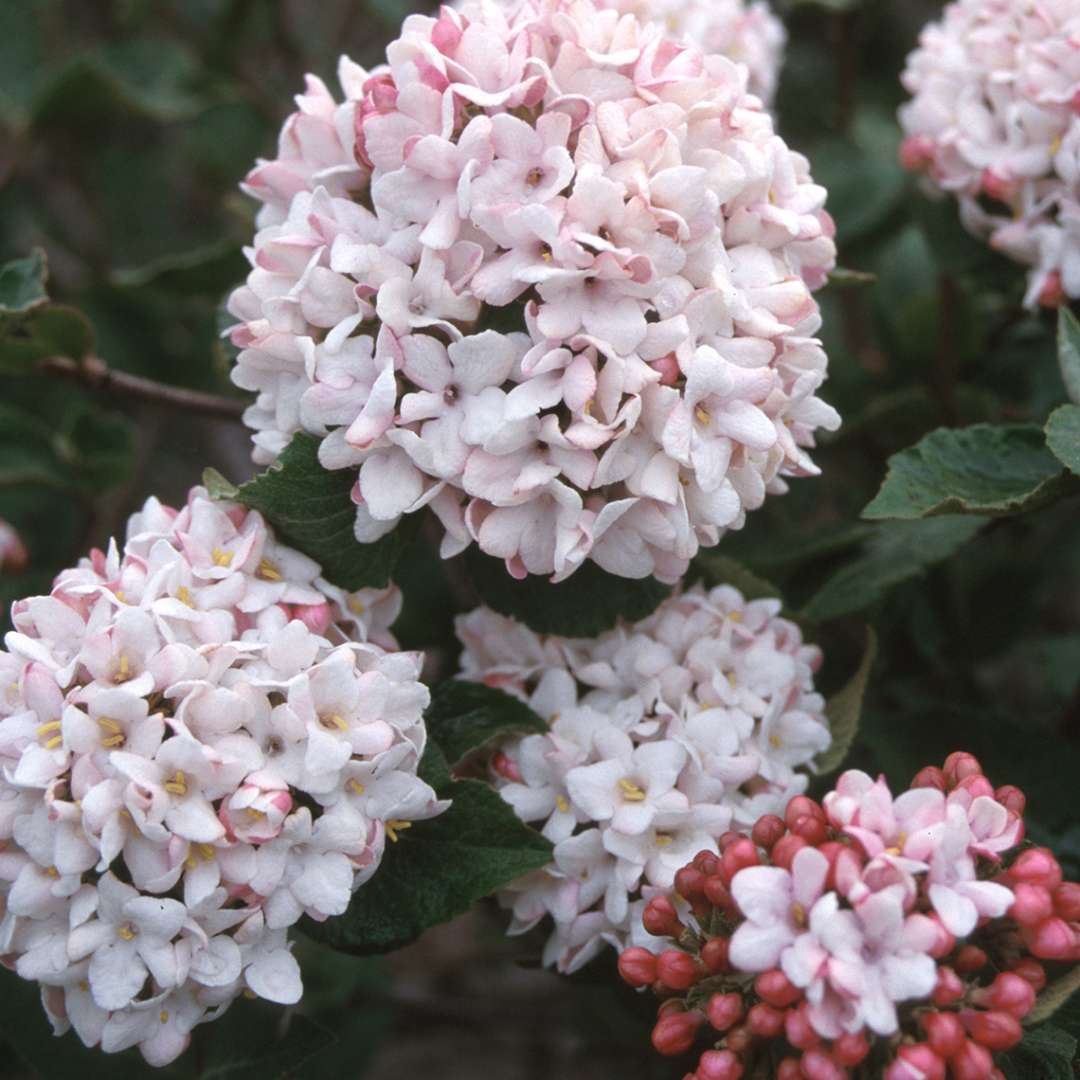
<point>125,129</point>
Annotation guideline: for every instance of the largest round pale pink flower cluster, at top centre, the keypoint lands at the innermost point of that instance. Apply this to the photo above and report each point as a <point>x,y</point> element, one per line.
<point>549,274</point>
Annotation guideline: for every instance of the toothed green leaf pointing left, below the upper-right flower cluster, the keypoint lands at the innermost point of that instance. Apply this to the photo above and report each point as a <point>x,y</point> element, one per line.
<point>985,469</point>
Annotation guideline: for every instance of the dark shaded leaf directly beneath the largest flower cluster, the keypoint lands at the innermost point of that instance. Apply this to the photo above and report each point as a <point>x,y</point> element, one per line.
<point>589,603</point>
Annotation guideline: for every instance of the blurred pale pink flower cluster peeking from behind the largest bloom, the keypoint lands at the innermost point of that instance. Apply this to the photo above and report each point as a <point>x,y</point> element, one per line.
<point>747,33</point>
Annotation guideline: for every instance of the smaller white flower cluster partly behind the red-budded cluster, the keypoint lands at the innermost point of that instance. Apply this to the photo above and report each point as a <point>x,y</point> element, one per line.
<point>665,735</point>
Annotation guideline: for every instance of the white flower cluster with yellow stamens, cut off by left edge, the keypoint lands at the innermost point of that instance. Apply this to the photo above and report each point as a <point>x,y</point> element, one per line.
<point>195,753</point>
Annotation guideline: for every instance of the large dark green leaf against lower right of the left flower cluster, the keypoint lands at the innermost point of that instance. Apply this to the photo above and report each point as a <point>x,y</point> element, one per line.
<point>437,871</point>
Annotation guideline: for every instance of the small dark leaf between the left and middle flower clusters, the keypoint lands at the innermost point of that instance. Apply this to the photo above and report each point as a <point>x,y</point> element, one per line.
<point>464,717</point>
